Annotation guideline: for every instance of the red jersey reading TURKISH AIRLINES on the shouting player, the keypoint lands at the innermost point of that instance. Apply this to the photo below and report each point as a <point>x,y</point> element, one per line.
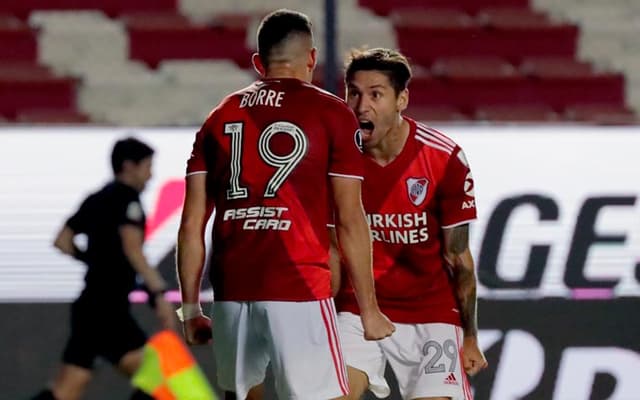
<point>408,202</point>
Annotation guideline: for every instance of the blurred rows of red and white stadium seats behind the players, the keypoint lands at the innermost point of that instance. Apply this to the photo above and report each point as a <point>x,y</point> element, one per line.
<point>167,62</point>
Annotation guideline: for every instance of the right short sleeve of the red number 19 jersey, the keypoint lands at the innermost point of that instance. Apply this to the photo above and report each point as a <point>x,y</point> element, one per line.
<point>346,157</point>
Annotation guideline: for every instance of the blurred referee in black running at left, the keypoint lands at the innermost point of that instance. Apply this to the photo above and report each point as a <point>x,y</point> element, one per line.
<point>101,322</point>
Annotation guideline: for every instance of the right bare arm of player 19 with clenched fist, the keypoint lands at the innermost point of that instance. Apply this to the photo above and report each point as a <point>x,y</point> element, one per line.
<point>354,238</point>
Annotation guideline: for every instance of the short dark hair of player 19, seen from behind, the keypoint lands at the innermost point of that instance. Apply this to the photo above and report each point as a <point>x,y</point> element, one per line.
<point>277,27</point>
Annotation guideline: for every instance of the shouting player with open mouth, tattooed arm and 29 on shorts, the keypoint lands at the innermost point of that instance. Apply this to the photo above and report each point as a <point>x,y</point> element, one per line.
<point>419,200</point>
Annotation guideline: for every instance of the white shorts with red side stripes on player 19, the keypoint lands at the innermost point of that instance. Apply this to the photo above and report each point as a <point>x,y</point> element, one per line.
<point>299,340</point>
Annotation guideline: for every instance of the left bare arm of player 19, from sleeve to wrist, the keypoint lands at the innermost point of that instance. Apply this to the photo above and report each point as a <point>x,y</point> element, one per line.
<point>191,245</point>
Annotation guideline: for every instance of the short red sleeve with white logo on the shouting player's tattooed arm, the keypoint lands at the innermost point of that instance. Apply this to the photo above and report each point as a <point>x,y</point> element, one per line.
<point>456,192</point>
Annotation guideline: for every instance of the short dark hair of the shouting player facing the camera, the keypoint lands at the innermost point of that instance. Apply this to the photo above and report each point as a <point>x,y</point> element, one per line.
<point>389,62</point>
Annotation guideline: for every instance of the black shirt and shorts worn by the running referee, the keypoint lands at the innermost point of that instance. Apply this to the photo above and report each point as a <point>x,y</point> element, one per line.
<point>101,322</point>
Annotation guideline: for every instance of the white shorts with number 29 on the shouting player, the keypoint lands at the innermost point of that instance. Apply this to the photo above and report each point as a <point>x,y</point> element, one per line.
<point>426,358</point>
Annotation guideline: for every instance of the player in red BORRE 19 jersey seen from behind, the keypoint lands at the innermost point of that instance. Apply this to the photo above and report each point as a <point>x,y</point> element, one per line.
<point>265,158</point>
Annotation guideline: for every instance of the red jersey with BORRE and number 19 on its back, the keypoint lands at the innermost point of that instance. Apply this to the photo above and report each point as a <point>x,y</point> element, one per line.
<point>269,150</point>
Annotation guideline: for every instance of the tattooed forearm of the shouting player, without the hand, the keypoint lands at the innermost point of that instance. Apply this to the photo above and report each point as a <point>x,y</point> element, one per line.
<point>458,255</point>
